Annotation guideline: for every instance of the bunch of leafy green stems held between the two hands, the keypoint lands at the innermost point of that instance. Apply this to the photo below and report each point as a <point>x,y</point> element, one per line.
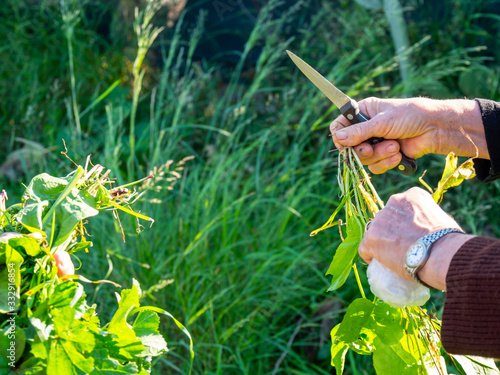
<point>400,340</point>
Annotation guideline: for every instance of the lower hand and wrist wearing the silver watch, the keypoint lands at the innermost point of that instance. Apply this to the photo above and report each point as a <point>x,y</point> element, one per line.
<point>406,218</point>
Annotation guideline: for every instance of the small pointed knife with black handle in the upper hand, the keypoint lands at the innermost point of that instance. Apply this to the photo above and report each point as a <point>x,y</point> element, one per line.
<point>348,107</point>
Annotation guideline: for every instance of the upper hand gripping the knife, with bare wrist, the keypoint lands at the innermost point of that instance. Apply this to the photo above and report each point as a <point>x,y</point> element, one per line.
<point>416,126</point>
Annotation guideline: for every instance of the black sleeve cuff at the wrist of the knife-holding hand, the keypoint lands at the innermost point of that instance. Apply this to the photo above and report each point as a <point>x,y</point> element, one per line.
<point>489,170</point>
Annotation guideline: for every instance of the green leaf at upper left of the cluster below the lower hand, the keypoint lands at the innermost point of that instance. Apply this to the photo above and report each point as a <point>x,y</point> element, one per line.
<point>356,317</point>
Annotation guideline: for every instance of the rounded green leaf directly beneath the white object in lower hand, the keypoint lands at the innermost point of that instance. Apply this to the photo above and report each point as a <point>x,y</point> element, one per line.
<point>387,323</point>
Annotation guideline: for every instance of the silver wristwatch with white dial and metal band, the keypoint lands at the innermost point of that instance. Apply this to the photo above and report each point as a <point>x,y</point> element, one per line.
<point>419,252</point>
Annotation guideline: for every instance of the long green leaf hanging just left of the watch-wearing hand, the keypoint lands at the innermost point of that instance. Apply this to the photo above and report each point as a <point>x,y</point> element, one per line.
<point>346,254</point>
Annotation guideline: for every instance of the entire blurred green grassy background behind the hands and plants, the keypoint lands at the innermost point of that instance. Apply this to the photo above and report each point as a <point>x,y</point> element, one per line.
<point>230,254</point>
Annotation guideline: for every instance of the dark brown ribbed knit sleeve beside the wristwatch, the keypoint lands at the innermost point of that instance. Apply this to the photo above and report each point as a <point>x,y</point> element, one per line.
<point>471,315</point>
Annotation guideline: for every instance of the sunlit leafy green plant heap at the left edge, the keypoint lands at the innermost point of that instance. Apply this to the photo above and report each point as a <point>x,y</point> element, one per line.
<point>46,309</point>
